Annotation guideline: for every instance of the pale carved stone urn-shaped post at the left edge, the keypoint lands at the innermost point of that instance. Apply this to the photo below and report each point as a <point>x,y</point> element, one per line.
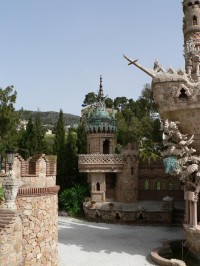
<point>10,187</point>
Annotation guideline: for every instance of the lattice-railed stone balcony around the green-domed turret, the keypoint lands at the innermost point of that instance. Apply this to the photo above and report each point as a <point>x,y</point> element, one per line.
<point>100,163</point>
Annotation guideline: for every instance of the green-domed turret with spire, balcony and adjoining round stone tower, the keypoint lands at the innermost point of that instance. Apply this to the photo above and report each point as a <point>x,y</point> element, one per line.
<point>113,177</point>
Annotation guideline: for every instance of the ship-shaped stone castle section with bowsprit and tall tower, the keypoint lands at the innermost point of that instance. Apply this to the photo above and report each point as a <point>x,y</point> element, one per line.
<point>177,91</point>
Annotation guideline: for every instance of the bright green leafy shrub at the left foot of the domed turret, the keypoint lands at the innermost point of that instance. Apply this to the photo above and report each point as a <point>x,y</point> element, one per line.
<point>72,199</point>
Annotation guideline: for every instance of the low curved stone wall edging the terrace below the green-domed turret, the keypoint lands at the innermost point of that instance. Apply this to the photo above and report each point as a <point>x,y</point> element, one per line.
<point>127,216</point>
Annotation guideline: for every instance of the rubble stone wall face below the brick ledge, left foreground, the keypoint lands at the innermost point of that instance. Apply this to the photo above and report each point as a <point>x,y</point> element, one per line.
<point>39,215</point>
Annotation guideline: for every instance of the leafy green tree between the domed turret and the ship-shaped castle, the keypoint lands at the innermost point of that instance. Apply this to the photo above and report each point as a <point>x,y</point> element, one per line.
<point>136,125</point>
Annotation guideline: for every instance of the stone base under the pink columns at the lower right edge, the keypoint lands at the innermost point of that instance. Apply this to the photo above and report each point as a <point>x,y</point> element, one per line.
<point>192,237</point>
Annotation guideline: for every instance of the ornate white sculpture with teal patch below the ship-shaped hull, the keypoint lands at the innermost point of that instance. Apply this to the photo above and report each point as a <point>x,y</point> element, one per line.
<point>178,158</point>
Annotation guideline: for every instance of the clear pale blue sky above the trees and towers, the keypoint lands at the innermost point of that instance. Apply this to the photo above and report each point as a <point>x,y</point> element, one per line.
<point>54,51</point>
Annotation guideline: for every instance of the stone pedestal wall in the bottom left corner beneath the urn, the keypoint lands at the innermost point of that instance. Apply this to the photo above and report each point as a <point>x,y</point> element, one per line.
<point>11,242</point>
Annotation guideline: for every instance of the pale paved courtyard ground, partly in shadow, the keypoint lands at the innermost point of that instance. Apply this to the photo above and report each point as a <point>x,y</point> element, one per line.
<point>83,243</point>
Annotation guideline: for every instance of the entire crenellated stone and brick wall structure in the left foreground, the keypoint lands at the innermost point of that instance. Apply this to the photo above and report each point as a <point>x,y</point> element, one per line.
<point>29,235</point>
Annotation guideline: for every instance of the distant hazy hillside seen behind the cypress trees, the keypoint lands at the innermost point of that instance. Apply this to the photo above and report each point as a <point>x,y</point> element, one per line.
<point>50,118</point>
